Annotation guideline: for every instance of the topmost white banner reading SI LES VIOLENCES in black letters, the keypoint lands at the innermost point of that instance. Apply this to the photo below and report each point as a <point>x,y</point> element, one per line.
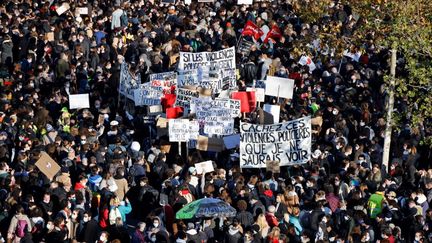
<point>223,59</point>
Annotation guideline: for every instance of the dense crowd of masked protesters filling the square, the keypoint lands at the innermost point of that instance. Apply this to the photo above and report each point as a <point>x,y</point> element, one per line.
<point>108,190</point>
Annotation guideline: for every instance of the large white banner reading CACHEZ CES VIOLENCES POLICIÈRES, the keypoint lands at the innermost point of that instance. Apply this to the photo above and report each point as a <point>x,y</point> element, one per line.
<point>288,142</point>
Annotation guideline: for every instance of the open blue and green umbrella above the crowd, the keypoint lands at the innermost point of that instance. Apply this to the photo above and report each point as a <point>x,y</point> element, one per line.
<point>206,208</point>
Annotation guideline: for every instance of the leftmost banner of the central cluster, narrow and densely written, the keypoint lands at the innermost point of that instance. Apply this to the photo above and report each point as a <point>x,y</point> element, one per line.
<point>128,81</point>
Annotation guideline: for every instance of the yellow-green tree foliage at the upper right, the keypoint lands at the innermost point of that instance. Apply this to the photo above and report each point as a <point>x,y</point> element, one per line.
<point>404,25</point>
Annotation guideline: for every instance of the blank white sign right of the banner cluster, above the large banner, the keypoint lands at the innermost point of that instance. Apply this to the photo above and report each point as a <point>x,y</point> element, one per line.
<point>279,87</point>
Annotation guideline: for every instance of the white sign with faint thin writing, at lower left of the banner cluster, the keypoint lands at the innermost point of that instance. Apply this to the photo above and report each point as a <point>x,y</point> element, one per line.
<point>183,130</point>
